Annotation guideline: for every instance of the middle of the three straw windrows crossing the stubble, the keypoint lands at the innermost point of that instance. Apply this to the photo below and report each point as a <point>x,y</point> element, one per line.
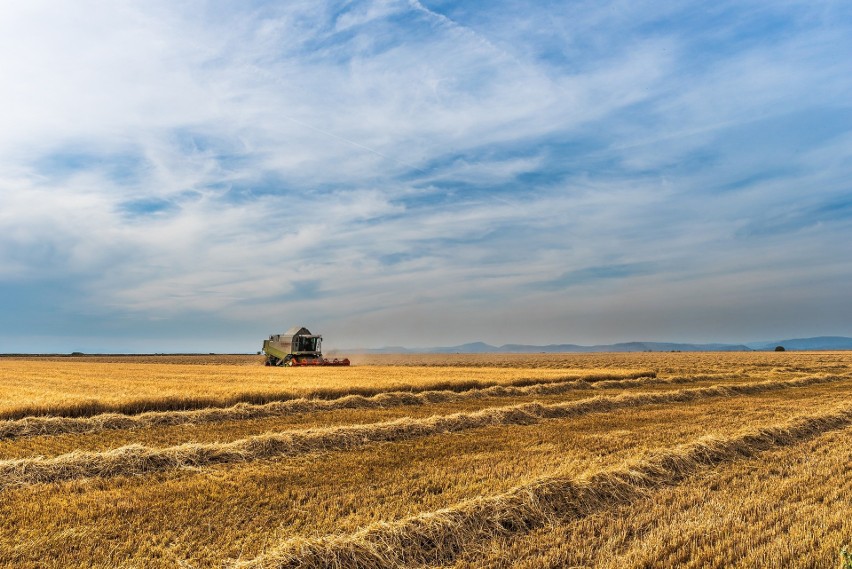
<point>138,459</point>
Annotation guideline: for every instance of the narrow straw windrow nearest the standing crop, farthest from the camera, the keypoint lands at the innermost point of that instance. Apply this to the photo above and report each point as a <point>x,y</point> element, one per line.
<point>48,426</point>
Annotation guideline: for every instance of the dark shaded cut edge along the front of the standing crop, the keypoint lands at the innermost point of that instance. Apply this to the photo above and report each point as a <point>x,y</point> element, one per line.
<point>138,406</point>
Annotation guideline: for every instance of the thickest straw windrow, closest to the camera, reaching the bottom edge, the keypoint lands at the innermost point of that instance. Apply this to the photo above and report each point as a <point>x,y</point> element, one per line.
<point>438,537</point>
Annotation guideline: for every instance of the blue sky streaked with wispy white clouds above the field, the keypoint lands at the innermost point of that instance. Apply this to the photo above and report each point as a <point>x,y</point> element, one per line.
<point>193,176</point>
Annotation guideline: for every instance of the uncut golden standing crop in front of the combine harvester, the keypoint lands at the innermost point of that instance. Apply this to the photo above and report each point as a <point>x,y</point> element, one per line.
<point>72,387</point>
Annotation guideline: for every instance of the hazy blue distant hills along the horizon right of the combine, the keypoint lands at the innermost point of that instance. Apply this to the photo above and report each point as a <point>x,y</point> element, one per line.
<point>817,343</point>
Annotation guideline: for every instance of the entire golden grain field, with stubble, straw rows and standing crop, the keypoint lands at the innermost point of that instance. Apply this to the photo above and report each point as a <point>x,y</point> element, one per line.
<point>587,460</point>
